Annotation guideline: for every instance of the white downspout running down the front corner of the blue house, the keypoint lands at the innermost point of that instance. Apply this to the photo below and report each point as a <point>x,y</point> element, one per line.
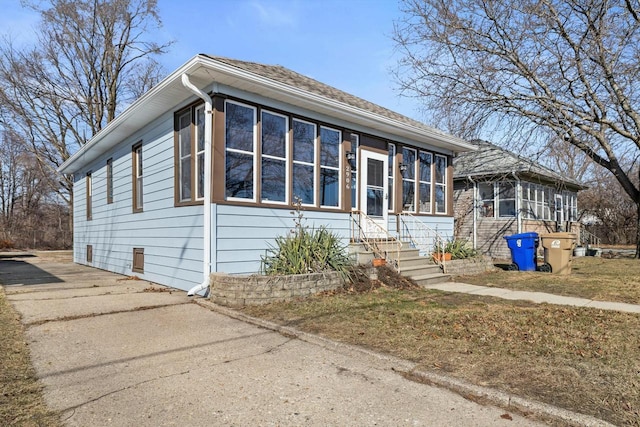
<point>208,112</point>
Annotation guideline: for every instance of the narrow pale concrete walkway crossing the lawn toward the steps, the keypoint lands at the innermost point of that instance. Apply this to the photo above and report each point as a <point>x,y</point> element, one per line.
<point>537,297</point>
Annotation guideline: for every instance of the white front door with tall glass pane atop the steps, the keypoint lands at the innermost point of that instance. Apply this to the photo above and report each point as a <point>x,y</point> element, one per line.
<point>373,193</point>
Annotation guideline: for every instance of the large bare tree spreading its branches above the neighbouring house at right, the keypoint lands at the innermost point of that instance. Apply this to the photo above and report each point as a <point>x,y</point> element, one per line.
<point>550,71</point>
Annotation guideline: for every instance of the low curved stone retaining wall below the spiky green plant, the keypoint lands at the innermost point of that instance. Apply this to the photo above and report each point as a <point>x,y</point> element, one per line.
<point>237,291</point>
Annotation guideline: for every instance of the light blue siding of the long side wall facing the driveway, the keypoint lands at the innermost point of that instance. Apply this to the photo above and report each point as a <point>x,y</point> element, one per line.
<point>171,237</point>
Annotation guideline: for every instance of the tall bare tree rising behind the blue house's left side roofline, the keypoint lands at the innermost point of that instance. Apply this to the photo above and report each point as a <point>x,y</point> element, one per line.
<point>92,58</point>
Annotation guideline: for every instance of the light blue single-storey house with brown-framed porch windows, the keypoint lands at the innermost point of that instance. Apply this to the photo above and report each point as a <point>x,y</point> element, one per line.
<point>201,173</point>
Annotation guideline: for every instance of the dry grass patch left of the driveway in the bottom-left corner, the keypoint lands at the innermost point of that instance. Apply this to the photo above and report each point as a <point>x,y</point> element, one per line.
<point>21,400</point>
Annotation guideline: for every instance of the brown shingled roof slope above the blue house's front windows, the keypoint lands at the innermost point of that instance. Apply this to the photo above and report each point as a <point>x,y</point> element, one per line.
<point>289,77</point>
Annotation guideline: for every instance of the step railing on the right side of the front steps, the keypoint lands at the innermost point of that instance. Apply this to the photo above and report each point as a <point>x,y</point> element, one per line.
<point>422,237</point>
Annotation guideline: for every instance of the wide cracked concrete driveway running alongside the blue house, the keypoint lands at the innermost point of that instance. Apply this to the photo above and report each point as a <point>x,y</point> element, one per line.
<point>113,351</point>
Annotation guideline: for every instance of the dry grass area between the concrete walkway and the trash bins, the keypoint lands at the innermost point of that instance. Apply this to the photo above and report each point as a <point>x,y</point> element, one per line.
<point>593,278</point>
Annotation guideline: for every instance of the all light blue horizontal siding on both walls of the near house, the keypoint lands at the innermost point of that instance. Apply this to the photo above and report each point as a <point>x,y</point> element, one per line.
<point>172,236</point>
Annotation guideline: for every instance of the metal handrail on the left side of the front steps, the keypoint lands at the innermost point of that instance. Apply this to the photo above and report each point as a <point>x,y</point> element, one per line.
<point>358,234</point>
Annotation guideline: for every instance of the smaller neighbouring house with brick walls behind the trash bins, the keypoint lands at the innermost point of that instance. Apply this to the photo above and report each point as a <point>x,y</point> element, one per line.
<point>498,193</point>
